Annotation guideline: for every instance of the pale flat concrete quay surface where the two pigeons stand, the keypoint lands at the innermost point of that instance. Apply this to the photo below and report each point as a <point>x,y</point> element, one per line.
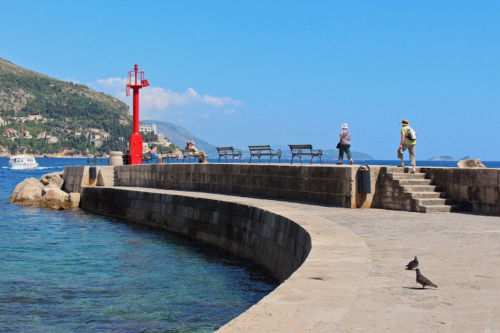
<point>354,279</point>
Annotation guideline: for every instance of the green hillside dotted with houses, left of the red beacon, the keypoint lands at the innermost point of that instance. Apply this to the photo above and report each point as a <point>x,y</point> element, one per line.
<point>42,115</point>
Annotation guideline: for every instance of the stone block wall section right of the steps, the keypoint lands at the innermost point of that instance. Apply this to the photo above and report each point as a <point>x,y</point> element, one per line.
<point>475,189</point>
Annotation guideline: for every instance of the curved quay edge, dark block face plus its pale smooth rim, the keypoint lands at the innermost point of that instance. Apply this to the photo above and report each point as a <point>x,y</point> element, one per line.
<point>321,264</point>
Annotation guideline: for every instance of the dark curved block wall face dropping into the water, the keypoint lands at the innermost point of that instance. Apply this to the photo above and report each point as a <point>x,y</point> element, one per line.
<point>270,240</point>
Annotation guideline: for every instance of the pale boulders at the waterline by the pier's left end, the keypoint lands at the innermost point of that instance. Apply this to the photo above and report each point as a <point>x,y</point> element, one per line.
<point>45,192</point>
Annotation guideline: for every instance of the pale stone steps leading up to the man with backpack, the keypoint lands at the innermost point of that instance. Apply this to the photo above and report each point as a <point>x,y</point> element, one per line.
<point>426,196</point>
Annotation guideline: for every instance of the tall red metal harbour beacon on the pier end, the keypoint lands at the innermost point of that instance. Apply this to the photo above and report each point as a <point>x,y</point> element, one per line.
<point>135,81</point>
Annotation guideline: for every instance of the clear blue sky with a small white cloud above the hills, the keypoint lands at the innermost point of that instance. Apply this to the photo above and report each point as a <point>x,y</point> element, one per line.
<point>280,72</point>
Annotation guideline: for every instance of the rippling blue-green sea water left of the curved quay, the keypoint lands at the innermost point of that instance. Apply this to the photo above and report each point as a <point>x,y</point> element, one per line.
<point>69,271</point>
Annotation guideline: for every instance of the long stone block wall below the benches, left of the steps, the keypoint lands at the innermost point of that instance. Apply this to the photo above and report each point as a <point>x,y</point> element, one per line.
<point>325,184</point>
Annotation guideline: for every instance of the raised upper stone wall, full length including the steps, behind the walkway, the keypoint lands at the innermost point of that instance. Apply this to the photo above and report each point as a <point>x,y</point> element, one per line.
<point>472,189</point>
